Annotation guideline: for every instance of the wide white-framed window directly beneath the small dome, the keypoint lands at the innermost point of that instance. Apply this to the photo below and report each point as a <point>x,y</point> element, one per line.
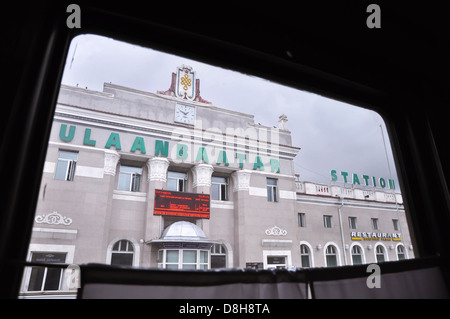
<point>183,259</point>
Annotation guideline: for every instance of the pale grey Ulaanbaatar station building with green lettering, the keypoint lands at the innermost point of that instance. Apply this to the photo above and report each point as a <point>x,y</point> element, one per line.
<point>169,180</point>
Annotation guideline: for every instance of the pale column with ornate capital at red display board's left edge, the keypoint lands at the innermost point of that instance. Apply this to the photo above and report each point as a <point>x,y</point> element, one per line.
<point>157,179</point>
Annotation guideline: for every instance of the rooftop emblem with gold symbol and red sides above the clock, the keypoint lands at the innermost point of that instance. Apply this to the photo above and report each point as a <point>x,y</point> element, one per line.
<point>185,85</point>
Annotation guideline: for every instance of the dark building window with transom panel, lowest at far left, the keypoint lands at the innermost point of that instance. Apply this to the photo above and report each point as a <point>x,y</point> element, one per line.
<point>46,278</point>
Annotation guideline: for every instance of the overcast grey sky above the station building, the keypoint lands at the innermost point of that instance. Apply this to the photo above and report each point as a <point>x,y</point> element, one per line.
<point>332,135</point>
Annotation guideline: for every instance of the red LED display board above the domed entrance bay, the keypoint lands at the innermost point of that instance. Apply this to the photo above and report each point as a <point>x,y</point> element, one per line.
<point>170,203</point>
